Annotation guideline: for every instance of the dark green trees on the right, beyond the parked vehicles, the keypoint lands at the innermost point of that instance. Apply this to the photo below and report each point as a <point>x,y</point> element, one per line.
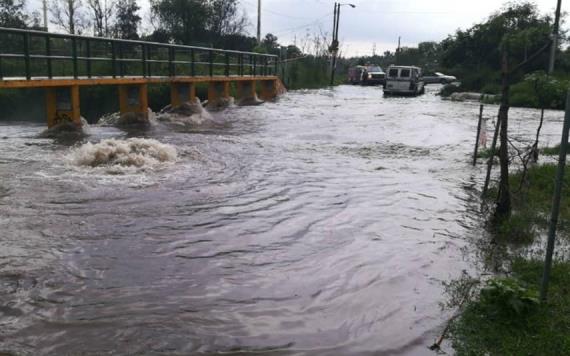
<point>474,54</point>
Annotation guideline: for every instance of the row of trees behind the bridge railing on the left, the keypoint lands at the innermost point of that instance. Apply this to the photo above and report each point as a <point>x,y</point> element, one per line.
<point>210,23</point>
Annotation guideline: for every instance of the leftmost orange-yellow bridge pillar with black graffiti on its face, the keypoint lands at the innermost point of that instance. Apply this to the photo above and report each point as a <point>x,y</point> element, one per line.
<point>63,105</point>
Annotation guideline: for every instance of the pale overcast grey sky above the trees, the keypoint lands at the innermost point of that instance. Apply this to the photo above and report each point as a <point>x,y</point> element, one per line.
<point>372,22</point>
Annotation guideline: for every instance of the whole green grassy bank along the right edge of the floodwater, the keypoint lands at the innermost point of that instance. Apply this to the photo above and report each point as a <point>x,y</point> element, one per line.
<point>505,316</point>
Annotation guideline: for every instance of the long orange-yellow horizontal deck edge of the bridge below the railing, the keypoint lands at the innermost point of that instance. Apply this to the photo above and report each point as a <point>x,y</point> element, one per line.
<point>44,82</point>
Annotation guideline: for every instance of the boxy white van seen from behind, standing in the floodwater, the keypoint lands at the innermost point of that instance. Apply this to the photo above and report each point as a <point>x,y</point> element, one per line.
<point>404,80</point>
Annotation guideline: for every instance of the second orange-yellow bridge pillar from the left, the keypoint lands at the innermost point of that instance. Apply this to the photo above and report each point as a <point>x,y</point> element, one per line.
<point>133,104</point>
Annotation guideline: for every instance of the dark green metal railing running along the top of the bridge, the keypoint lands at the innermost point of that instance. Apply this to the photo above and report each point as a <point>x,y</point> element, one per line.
<point>38,55</point>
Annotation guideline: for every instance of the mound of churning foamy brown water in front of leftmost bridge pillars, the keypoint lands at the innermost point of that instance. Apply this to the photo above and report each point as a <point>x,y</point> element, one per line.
<point>123,156</point>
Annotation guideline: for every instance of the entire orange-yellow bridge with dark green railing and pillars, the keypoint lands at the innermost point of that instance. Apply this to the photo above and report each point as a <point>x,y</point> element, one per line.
<point>63,63</point>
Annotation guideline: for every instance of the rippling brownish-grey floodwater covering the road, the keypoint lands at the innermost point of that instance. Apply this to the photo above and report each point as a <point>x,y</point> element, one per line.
<point>322,224</point>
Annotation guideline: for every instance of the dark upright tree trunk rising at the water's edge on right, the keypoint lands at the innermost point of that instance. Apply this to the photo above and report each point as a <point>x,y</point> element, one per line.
<point>504,198</point>
